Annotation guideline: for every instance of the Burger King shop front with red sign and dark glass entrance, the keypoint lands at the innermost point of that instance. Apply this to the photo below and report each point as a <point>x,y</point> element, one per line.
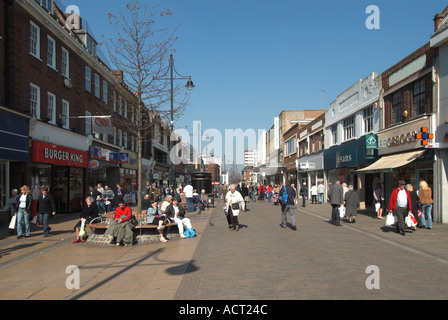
<point>63,170</point>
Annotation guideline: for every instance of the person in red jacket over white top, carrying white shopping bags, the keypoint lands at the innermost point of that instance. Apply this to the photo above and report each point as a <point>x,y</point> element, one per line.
<point>400,203</point>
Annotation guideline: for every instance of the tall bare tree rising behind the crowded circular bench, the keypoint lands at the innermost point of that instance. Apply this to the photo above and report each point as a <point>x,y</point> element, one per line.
<point>141,51</point>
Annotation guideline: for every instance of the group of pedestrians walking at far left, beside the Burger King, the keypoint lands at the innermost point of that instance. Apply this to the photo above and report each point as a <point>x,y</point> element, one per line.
<point>20,206</point>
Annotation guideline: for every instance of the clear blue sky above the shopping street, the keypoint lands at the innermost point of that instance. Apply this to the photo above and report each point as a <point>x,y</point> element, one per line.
<point>252,59</point>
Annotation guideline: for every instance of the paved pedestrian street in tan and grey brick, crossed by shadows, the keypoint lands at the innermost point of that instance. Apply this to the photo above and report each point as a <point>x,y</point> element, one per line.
<point>261,261</point>
